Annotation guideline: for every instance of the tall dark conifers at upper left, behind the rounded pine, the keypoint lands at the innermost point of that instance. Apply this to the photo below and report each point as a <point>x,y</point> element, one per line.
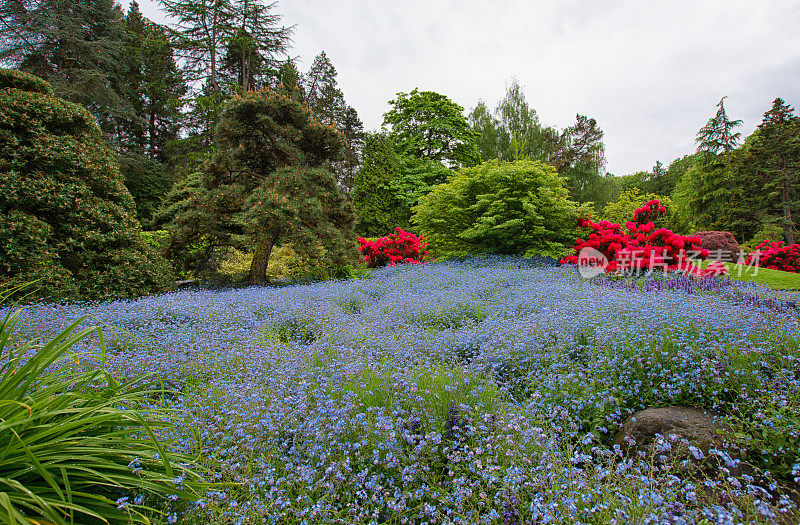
<point>157,92</point>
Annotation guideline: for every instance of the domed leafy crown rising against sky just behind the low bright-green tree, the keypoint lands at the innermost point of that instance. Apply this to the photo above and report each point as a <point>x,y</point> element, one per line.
<point>429,125</point>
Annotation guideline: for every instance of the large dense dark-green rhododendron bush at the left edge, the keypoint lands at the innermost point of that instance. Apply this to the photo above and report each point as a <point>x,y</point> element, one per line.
<point>68,218</point>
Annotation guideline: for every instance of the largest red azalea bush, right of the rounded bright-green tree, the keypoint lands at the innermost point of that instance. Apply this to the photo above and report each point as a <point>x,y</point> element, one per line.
<point>641,246</point>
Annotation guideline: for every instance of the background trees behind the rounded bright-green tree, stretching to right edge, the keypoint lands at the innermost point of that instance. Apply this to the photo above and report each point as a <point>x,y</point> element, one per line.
<point>750,186</point>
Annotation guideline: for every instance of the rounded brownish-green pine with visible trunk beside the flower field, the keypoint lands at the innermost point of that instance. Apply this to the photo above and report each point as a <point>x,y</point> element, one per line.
<point>269,182</point>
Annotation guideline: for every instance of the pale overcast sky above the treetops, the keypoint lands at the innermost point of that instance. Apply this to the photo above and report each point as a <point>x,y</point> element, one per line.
<point>649,71</point>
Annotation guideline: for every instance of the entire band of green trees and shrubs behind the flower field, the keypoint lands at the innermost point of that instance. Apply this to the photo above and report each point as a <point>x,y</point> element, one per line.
<point>229,152</point>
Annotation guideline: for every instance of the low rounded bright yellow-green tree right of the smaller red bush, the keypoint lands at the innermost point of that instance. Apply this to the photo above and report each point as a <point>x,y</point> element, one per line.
<point>506,208</point>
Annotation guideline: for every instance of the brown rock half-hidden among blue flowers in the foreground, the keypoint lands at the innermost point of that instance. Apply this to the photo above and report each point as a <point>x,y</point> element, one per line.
<point>679,427</point>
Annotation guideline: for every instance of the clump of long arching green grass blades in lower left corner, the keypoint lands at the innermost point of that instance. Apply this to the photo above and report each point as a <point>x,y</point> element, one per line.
<point>75,447</point>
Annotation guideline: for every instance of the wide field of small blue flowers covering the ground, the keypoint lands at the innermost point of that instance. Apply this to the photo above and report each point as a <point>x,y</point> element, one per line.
<point>480,391</point>
